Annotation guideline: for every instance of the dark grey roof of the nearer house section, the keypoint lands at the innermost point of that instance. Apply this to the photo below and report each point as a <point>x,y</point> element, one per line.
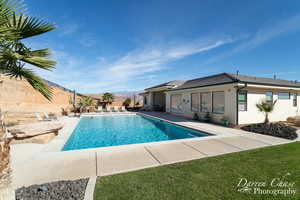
<point>226,78</point>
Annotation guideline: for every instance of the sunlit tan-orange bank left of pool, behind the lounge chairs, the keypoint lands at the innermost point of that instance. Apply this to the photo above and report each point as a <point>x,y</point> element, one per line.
<point>21,100</point>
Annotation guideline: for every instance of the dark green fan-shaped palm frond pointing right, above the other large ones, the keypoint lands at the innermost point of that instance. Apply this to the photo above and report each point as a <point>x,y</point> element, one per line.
<point>27,26</point>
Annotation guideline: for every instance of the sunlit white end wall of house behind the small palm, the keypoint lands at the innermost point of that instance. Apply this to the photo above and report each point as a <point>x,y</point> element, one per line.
<point>283,108</point>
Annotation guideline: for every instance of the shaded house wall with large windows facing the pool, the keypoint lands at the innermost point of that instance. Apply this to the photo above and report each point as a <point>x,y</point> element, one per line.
<point>229,102</point>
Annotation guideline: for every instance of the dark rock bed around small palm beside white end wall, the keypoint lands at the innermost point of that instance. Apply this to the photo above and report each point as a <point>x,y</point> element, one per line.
<point>273,129</point>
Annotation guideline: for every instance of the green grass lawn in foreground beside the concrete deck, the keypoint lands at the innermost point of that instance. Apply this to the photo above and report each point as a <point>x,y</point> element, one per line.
<point>208,178</point>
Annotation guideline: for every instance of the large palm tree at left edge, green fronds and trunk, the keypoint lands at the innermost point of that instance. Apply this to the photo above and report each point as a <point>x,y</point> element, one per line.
<point>15,26</point>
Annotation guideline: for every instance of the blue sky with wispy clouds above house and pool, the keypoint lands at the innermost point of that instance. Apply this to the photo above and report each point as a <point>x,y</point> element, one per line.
<point>130,45</point>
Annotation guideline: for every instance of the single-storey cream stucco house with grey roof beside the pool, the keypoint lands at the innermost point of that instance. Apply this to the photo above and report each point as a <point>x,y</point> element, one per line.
<point>231,95</point>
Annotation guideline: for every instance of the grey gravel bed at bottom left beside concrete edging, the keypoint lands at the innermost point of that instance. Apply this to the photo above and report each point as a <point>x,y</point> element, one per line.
<point>67,190</point>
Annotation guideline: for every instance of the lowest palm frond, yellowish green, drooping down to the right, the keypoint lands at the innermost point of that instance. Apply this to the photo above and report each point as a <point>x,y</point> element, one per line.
<point>34,80</point>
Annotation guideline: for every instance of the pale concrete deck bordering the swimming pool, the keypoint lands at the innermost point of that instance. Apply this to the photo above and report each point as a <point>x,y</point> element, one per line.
<point>41,163</point>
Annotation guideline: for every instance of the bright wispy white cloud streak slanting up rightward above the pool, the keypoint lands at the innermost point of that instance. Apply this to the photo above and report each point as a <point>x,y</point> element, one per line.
<point>153,58</point>
